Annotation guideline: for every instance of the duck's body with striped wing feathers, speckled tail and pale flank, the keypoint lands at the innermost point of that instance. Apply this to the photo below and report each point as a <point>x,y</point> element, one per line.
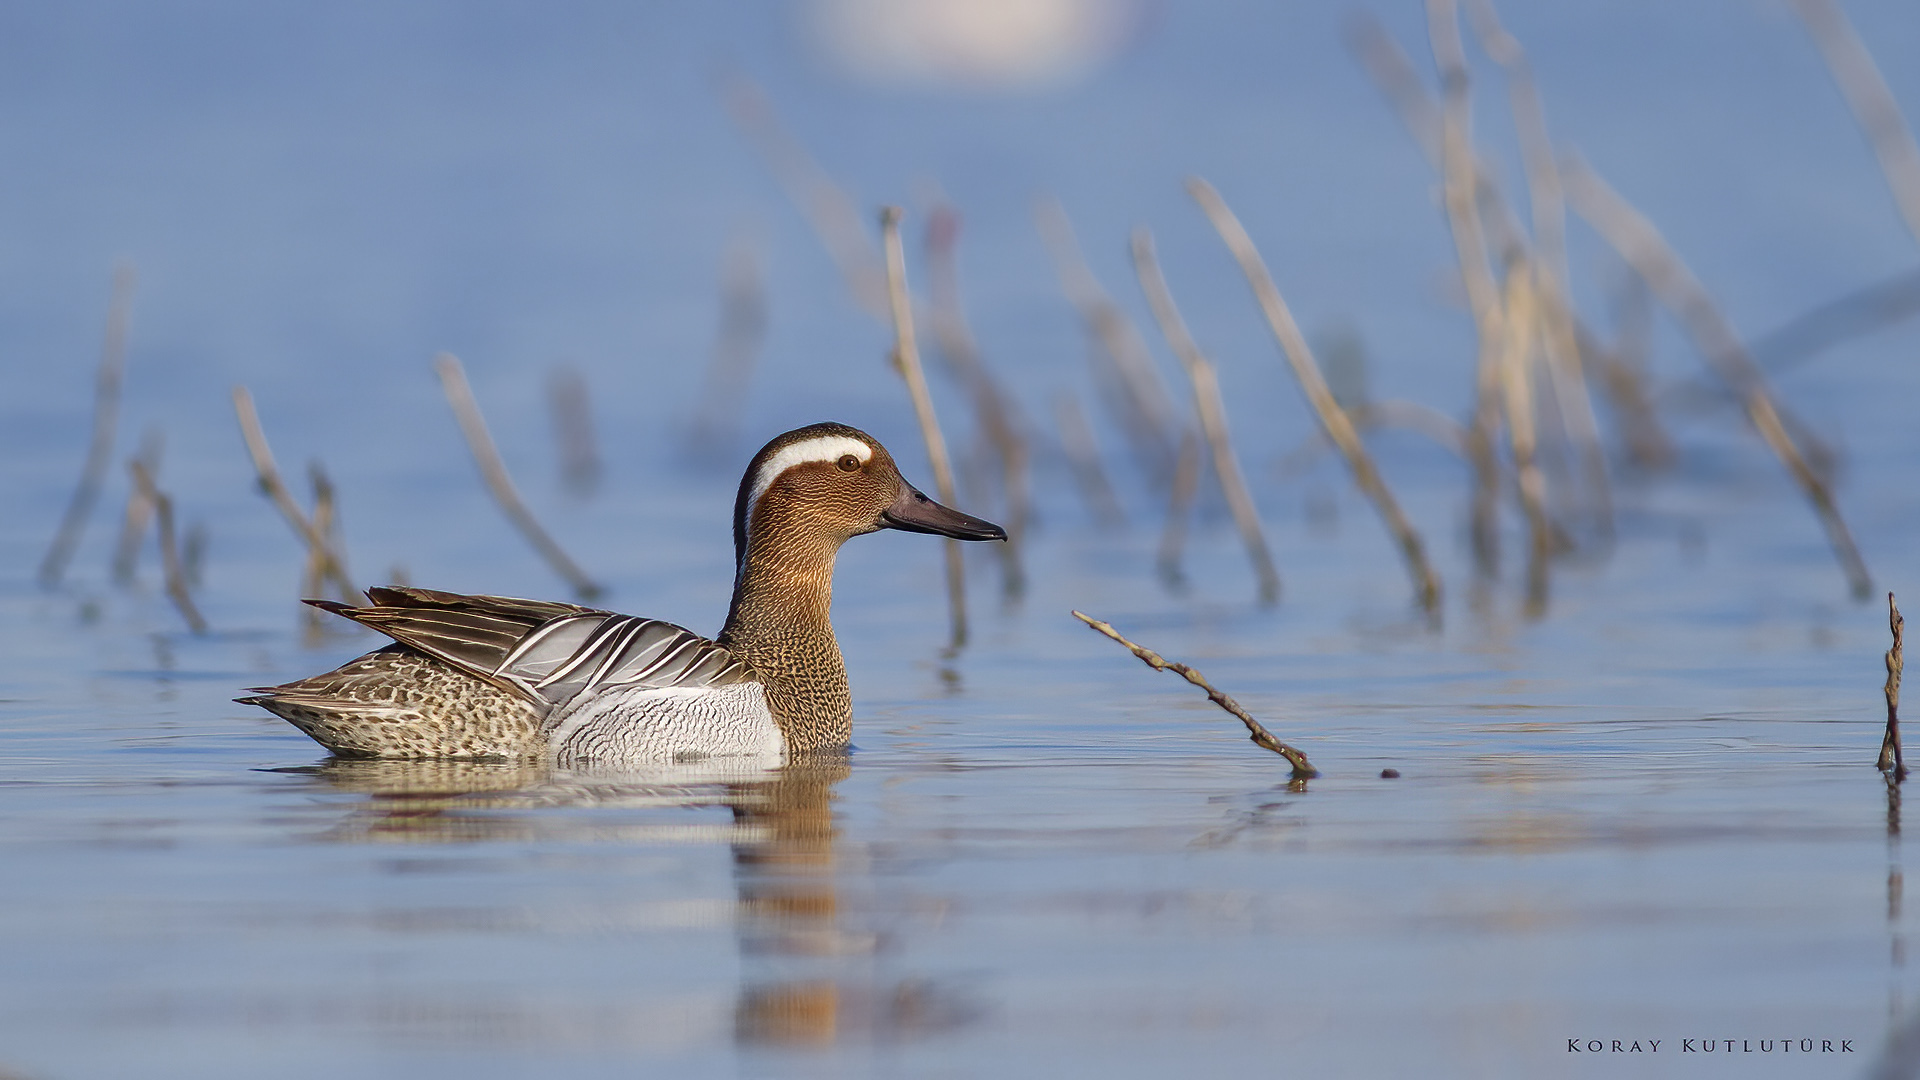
<point>500,677</point>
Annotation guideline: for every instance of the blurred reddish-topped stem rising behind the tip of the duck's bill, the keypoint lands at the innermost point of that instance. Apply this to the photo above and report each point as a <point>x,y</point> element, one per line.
<point>992,405</point>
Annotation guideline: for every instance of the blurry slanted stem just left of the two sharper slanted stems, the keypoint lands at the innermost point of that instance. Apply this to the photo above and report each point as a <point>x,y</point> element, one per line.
<point>1147,410</point>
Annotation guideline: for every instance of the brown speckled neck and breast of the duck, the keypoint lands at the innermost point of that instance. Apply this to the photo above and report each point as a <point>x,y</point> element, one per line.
<point>779,624</point>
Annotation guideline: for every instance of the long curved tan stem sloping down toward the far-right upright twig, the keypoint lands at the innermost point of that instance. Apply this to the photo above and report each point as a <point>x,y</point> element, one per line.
<point>1675,285</point>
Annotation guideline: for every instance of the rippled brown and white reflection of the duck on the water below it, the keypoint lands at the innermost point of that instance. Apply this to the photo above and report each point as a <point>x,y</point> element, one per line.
<point>807,962</point>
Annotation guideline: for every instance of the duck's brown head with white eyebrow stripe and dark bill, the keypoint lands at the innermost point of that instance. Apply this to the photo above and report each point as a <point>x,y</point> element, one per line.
<point>827,483</point>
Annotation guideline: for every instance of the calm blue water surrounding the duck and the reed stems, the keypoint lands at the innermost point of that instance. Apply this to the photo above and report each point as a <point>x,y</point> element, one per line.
<point>1650,814</point>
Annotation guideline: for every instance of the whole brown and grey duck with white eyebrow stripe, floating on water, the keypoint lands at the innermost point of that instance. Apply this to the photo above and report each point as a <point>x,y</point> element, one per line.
<point>498,677</point>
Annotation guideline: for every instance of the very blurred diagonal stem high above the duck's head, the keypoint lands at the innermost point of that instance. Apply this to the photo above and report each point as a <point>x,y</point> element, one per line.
<point>834,216</point>
